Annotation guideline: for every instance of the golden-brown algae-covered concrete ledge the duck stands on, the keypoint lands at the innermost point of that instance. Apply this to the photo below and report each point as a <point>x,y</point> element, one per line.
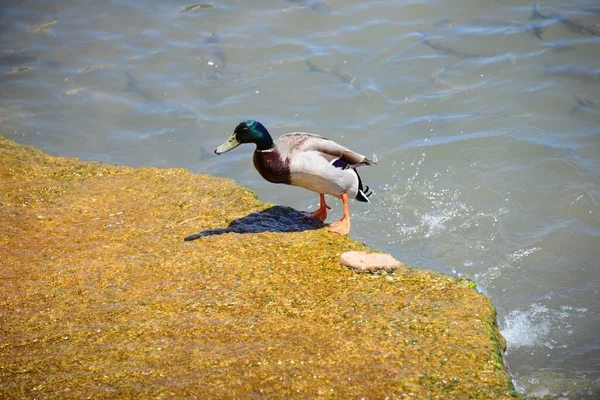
<point>102,297</point>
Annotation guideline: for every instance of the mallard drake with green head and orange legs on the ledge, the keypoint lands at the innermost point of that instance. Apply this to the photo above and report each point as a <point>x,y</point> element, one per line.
<point>306,160</point>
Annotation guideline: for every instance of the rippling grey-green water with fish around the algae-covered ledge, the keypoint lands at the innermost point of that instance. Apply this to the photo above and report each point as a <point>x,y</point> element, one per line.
<point>488,137</point>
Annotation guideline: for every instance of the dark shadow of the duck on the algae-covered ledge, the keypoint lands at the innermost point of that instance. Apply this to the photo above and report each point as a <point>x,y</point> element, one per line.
<point>273,219</point>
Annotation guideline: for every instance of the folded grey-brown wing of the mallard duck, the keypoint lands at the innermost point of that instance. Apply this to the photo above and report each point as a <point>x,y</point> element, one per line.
<point>333,152</point>
